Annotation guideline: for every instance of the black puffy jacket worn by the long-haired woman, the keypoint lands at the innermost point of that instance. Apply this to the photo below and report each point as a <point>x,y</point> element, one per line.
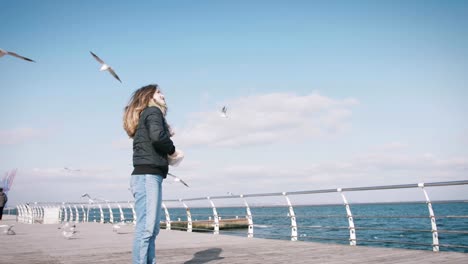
<point>152,143</point>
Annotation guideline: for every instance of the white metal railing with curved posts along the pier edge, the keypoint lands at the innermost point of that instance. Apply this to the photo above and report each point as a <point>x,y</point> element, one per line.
<point>112,212</point>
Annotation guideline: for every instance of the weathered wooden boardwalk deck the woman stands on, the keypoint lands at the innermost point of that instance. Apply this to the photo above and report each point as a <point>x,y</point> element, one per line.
<point>96,243</point>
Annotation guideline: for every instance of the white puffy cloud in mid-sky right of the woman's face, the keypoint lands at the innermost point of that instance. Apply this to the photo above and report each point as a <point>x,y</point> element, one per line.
<point>268,118</point>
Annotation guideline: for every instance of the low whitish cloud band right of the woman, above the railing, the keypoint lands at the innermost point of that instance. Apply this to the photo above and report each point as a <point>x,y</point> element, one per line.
<point>374,168</point>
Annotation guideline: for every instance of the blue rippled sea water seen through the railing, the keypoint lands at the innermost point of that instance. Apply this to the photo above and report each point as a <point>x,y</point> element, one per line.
<point>394,225</point>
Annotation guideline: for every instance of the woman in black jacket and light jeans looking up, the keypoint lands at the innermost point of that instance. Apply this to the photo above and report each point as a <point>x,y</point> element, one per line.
<point>144,121</point>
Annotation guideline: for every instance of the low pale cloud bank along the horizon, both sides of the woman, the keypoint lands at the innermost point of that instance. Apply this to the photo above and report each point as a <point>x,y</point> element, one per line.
<point>376,167</point>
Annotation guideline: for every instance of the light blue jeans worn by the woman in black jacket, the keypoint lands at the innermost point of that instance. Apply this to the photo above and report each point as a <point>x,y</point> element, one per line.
<point>147,191</point>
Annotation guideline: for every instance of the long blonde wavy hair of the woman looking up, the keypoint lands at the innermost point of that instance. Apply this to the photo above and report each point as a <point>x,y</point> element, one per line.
<point>141,99</point>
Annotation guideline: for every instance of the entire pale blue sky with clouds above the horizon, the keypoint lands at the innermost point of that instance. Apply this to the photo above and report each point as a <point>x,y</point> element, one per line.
<point>320,94</point>
